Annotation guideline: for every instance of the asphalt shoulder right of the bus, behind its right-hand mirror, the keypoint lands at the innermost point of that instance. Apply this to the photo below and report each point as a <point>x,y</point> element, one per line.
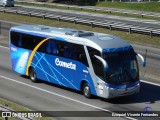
<point>151,71</point>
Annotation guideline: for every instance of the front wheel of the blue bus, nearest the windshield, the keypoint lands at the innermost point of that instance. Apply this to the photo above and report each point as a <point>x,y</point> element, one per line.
<point>86,90</point>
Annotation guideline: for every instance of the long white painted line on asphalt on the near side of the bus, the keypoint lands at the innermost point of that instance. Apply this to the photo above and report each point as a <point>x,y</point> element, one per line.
<point>61,96</point>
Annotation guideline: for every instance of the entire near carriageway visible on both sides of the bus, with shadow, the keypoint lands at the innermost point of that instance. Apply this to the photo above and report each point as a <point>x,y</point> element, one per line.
<point>49,97</point>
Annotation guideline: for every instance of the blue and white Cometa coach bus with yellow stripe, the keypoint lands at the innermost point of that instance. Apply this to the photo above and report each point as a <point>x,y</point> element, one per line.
<point>94,63</point>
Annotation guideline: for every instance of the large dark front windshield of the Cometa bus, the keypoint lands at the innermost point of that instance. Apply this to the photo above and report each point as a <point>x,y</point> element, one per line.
<point>123,67</point>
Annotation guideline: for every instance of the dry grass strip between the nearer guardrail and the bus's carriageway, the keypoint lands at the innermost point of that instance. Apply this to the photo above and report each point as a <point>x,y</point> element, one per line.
<point>133,37</point>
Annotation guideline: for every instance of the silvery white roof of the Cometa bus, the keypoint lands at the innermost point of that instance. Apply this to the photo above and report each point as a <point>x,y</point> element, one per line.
<point>98,40</point>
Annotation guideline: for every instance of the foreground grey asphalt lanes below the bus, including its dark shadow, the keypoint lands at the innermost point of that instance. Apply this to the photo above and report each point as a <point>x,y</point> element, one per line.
<point>49,97</point>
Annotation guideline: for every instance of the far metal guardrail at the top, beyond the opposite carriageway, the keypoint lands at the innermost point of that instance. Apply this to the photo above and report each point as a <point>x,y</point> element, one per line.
<point>104,9</point>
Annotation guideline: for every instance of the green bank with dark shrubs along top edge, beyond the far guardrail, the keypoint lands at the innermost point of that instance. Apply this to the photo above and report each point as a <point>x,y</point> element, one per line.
<point>142,6</point>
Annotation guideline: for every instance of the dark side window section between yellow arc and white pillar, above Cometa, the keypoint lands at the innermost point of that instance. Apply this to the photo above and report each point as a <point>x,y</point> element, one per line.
<point>64,49</point>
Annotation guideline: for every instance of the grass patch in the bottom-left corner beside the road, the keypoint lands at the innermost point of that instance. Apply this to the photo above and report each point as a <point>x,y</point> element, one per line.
<point>17,107</point>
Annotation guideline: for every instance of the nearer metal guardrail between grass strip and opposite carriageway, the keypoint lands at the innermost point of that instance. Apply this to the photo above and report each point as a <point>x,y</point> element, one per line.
<point>85,20</point>
